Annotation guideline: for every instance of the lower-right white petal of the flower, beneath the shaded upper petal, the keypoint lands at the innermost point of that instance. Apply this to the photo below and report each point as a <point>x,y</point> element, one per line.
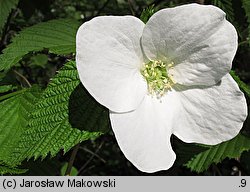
<point>211,115</point>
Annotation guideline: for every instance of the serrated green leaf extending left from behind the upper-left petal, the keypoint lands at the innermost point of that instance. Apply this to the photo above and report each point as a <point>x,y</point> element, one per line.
<point>56,35</point>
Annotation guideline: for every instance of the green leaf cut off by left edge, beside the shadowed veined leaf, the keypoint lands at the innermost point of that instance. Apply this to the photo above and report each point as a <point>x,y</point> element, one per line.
<point>14,115</point>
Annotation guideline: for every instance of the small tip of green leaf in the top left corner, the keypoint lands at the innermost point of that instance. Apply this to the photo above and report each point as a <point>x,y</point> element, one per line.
<point>5,8</point>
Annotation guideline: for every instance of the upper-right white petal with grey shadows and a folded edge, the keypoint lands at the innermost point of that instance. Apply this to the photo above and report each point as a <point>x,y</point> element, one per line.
<point>197,38</point>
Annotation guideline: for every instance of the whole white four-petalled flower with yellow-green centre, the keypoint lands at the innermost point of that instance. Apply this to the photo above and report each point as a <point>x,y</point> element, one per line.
<point>170,76</point>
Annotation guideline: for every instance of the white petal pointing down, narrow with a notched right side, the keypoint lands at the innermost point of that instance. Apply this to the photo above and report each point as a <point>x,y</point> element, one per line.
<point>144,134</point>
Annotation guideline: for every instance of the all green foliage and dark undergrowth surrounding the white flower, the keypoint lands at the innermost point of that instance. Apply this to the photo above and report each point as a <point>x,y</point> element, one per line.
<point>53,115</point>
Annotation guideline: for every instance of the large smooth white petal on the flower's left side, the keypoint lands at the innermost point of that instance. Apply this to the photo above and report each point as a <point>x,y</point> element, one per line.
<point>108,60</point>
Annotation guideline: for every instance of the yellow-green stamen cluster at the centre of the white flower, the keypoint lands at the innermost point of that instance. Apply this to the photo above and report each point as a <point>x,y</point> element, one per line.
<point>158,79</point>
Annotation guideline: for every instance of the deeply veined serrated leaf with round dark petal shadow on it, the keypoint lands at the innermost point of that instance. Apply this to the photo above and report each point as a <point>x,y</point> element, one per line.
<point>64,116</point>
